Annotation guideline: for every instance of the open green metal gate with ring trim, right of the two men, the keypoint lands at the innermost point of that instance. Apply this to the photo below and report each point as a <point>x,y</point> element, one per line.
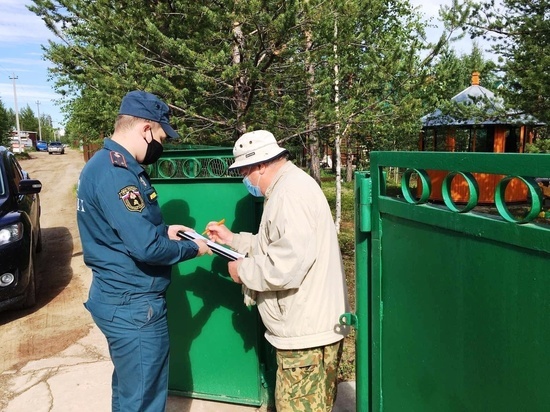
<point>453,300</point>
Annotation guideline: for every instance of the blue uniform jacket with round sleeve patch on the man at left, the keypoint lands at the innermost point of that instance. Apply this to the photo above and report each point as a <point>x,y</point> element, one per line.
<point>124,237</point>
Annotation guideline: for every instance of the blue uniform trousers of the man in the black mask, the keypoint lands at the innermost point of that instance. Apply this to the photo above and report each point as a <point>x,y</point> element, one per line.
<point>137,335</point>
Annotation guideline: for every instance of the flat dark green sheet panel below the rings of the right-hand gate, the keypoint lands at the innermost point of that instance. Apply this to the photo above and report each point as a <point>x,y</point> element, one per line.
<point>463,323</point>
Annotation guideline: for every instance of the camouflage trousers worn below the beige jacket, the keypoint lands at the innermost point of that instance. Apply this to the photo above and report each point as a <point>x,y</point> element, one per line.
<point>307,379</point>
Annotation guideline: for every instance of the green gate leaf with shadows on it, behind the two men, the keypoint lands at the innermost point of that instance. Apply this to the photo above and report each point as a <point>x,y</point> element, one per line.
<point>217,348</point>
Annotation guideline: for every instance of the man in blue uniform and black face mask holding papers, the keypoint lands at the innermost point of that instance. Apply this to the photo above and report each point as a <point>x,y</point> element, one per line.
<point>130,251</point>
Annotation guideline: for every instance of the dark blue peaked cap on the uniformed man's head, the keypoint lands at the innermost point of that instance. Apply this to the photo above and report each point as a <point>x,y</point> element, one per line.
<point>148,106</point>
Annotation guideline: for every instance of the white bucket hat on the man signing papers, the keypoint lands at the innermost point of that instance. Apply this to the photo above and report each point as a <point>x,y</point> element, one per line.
<point>255,147</point>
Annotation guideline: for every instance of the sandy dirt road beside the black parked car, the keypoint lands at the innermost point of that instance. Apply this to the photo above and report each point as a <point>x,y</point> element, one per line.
<point>59,318</point>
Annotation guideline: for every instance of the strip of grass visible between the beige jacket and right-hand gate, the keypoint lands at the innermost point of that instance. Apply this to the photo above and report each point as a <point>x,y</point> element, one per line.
<point>347,246</point>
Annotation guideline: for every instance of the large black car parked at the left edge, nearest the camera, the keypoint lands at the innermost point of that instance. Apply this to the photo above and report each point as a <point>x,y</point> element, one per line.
<point>20,236</point>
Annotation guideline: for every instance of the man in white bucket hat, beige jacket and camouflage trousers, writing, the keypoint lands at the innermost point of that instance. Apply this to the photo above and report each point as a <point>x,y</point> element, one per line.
<point>293,270</point>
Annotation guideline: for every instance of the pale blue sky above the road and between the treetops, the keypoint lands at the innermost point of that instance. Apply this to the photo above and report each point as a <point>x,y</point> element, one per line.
<point>22,33</point>
